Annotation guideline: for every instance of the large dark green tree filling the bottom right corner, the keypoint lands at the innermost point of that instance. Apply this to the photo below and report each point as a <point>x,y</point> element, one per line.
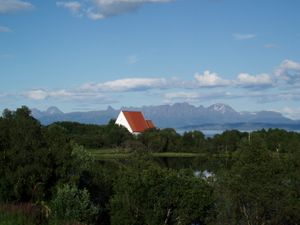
<point>260,188</point>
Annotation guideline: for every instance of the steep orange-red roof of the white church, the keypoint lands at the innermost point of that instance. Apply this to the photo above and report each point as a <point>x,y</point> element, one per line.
<point>137,121</point>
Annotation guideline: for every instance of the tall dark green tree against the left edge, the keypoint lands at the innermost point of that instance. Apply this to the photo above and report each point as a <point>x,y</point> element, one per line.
<point>23,149</point>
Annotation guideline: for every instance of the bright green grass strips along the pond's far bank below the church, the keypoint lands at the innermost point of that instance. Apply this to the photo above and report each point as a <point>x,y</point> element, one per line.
<point>106,154</point>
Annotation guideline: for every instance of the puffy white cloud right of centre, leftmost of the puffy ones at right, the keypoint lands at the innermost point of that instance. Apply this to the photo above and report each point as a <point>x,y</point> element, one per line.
<point>209,79</point>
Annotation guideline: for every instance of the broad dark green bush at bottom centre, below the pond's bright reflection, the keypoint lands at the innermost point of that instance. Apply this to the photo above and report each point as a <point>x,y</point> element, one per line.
<point>148,194</point>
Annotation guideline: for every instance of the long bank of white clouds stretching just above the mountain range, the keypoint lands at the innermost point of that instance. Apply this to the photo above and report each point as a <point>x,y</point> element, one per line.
<point>206,86</point>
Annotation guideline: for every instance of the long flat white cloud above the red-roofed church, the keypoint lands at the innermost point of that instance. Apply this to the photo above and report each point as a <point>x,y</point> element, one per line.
<point>129,84</point>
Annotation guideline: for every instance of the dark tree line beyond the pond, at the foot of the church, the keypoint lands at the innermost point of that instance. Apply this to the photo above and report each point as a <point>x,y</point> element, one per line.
<point>168,140</point>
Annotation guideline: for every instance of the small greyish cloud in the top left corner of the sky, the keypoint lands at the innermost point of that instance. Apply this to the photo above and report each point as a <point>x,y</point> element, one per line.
<point>14,5</point>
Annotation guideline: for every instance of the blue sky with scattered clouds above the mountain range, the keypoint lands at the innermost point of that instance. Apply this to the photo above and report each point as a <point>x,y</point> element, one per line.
<point>82,55</point>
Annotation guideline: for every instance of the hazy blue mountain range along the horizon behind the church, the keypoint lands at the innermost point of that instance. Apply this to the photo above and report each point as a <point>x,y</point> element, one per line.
<point>180,116</point>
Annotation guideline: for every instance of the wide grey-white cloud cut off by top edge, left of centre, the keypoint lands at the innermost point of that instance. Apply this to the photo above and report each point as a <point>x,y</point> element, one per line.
<point>100,9</point>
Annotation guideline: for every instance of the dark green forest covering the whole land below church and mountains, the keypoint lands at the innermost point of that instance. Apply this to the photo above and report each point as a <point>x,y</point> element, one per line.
<point>48,176</point>
